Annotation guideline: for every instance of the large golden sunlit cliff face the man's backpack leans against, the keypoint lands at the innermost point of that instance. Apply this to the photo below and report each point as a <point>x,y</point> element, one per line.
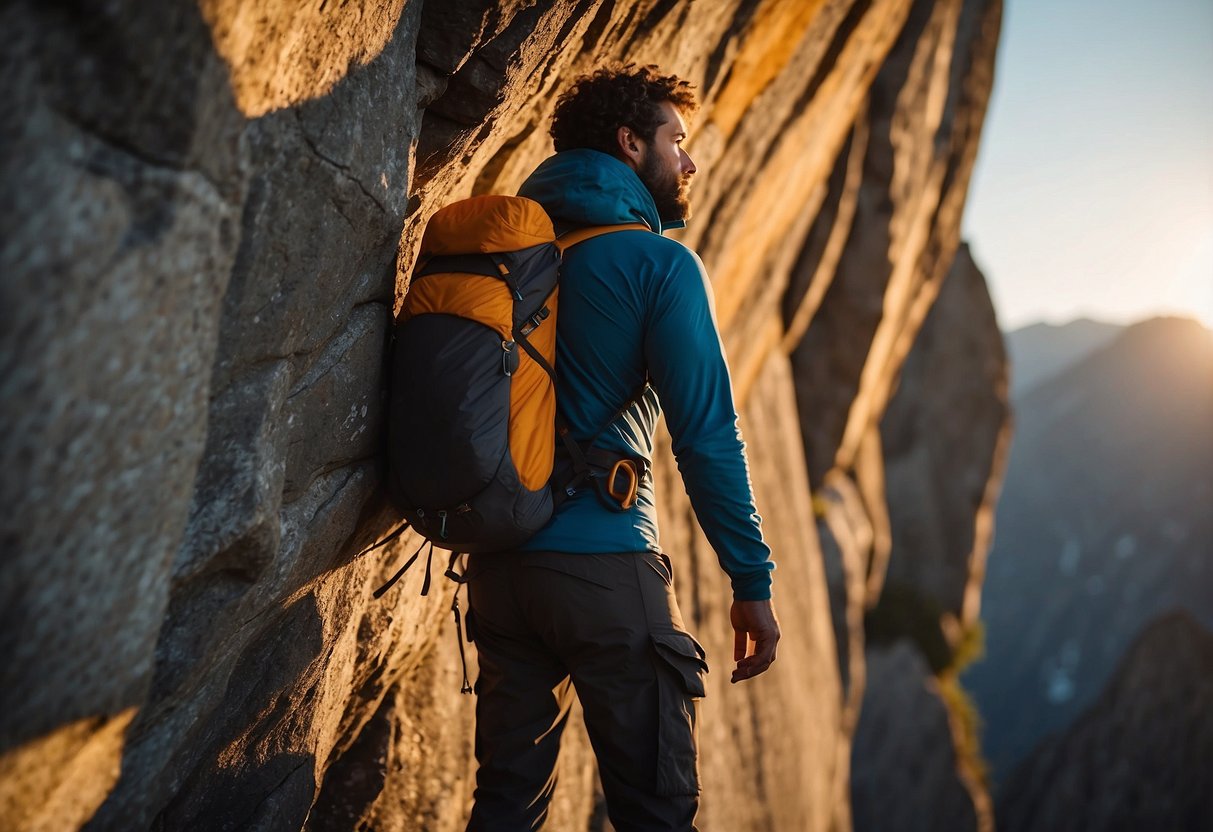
<point>210,214</point>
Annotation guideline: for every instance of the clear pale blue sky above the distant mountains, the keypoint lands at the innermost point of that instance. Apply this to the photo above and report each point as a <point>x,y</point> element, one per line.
<point>1094,190</point>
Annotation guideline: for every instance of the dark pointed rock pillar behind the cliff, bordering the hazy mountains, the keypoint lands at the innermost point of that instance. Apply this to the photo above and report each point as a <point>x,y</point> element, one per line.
<point>944,443</point>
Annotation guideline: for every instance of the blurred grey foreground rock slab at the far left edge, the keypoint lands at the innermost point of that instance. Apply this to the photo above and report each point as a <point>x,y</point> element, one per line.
<point>122,227</point>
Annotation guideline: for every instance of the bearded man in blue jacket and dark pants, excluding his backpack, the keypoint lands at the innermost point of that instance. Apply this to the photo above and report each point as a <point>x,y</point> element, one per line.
<point>590,600</point>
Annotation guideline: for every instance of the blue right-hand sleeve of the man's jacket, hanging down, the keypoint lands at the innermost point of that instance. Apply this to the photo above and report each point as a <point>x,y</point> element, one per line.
<point>688,369</point>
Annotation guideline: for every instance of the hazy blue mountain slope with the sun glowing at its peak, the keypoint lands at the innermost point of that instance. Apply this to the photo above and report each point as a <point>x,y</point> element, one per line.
<point>1104,523</point>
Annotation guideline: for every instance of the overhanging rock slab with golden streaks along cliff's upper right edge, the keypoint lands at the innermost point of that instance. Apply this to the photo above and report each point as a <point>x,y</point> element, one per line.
<point>873,266</point>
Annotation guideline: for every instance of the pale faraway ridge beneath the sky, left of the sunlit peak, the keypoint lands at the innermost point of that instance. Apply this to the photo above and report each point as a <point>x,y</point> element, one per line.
<point>1040,351</point>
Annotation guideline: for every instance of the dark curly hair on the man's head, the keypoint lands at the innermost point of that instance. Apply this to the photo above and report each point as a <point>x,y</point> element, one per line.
<point>590,113</point>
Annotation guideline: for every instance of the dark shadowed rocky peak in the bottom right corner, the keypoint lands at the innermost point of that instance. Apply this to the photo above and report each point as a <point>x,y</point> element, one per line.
<point>1141,757</point>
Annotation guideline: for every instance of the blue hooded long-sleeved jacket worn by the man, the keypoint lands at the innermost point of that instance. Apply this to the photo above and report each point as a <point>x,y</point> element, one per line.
<point>634,303</point>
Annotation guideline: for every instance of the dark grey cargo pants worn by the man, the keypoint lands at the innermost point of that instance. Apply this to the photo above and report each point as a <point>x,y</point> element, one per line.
<point>610,626</point>
